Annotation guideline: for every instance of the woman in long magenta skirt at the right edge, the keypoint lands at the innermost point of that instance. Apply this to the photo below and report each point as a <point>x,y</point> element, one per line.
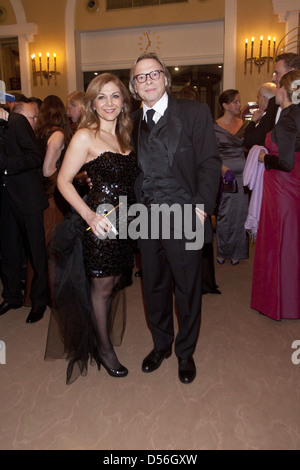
<point>276,271</point>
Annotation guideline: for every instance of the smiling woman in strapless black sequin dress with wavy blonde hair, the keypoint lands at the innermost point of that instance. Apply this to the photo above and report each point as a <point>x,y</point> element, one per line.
<point>101,147</point>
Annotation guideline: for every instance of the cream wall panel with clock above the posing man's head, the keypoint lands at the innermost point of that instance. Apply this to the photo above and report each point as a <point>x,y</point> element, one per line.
<point>193,43</point>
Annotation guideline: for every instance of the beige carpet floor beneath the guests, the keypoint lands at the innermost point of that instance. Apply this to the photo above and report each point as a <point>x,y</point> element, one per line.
<point>246,394</point>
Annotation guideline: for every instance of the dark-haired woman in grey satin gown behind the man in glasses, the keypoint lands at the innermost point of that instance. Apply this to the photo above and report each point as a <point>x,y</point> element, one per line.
<point>232,239</point>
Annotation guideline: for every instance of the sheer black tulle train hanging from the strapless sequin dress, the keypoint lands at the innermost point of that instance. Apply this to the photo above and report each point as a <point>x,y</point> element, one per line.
<point>71,333</point>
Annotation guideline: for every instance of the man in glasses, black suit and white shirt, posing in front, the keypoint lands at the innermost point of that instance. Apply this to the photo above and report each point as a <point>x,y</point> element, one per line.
<point>180,165</point>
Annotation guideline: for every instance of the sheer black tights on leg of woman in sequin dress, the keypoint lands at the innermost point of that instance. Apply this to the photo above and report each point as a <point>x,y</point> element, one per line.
<point>101,290</point>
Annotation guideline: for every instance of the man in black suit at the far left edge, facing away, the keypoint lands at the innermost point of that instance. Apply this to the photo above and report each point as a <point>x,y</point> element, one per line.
<point>22,204</point>
